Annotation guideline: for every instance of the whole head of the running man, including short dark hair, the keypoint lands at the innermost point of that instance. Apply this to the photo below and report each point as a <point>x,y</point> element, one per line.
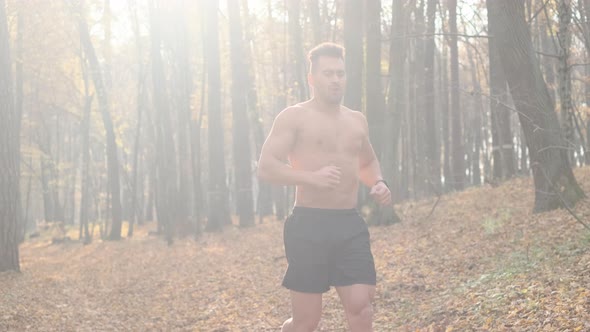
<point>327,73</point>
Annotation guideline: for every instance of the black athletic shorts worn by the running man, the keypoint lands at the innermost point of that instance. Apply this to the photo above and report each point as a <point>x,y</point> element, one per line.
<point>326,248</point>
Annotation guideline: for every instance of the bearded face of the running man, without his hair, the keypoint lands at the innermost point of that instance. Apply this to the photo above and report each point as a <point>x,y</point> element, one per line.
<point>328,79</point>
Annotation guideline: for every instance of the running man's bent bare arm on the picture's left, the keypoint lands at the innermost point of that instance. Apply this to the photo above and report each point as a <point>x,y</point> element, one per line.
<point>272,166</point>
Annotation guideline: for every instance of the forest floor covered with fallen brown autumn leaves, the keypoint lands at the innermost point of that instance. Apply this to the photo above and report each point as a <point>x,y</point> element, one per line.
<point>481,262</point>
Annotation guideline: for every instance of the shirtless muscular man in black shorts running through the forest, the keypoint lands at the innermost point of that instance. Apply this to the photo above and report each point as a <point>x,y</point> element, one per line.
<point>326,240</point>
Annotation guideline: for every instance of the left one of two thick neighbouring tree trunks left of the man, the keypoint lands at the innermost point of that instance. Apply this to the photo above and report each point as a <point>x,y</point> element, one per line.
<point>218,193</point>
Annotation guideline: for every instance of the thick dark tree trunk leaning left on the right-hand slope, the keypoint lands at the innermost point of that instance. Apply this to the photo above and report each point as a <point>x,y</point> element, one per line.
<point>555,184</point>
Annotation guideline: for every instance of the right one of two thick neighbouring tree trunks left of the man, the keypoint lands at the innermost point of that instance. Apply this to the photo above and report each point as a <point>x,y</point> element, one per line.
<point>241,128</point>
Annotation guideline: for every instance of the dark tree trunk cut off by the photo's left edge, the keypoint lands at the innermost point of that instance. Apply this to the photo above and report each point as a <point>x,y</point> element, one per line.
<point>9,156</point>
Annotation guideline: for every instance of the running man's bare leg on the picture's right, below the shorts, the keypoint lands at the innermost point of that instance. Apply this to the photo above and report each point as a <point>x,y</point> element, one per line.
<point>356,300</point>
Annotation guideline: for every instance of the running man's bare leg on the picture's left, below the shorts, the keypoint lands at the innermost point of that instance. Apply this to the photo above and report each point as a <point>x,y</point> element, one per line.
<point>307,310</point>
